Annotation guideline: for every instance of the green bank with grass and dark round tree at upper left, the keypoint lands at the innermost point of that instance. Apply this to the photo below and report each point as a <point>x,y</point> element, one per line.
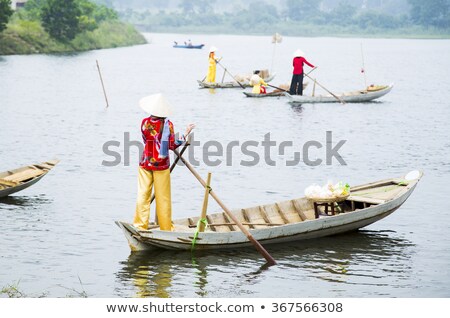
<point>96,27</point>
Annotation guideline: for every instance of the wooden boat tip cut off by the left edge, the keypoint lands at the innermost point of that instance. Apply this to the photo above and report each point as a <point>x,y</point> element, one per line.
<point>12,181</point>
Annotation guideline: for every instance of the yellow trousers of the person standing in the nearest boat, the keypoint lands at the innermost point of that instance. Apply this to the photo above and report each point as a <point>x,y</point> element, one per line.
<point>160,180</point>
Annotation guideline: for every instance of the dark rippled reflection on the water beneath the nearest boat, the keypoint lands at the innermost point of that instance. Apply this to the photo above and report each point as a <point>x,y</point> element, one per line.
<point>364,254</point>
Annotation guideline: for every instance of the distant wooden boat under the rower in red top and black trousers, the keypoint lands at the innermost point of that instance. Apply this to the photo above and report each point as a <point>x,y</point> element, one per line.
<point>360,96</point>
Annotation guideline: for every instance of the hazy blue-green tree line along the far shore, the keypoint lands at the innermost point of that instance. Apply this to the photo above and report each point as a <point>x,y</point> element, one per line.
<point>257,15</point>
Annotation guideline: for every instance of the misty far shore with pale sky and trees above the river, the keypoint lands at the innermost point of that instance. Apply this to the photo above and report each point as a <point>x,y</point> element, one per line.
<point>408,18</point>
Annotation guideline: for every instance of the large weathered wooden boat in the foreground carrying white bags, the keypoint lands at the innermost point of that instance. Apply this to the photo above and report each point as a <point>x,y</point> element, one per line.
<point>286,221</point>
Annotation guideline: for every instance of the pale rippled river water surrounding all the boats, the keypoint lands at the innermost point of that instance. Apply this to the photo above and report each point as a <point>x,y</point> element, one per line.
<point>58,238</point>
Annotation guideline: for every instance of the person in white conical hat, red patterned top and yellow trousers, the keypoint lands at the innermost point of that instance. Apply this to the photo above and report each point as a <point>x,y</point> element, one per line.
<point>158,137</point>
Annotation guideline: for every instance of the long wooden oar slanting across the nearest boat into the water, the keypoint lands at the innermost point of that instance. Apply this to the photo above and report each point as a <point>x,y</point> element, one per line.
<point>257,245</point>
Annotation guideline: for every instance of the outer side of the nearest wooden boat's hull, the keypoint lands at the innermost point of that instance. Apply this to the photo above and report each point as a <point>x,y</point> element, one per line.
<point>305,230</point>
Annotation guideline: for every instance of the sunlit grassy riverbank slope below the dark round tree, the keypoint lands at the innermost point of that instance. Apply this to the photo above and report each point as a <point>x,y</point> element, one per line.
<point>29,37</point>
